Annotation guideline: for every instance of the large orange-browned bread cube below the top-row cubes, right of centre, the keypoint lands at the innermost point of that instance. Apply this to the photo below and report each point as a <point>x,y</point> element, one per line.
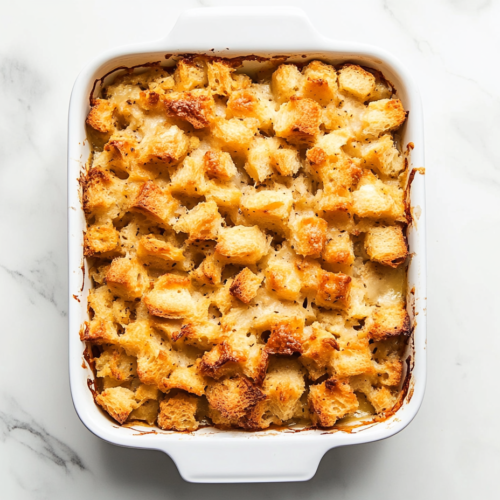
<point>298,120</point>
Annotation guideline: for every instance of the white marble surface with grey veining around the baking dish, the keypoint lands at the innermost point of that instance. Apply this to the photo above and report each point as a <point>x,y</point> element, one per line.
<point>451,450</point>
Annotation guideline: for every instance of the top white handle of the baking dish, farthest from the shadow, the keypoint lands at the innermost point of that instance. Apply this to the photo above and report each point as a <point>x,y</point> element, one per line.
<point>258,29</point>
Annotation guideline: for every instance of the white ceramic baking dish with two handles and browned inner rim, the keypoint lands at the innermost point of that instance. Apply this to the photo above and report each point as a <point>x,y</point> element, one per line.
<point>209,455</point>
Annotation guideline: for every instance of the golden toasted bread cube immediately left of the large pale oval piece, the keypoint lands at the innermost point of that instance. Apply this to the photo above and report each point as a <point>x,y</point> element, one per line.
<point>127,278</point>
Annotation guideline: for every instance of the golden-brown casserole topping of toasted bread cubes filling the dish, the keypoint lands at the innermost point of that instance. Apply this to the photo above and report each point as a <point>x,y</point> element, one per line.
<point>247,245</point>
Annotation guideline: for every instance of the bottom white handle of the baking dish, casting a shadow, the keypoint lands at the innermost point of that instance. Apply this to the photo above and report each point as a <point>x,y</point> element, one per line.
<point>248,460</point>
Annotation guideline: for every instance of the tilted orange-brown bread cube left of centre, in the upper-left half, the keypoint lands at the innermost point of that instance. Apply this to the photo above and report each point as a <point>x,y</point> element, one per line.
<point>155,203</point>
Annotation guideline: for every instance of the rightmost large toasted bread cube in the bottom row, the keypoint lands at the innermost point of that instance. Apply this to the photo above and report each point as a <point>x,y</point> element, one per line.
<point>331,400</point>
